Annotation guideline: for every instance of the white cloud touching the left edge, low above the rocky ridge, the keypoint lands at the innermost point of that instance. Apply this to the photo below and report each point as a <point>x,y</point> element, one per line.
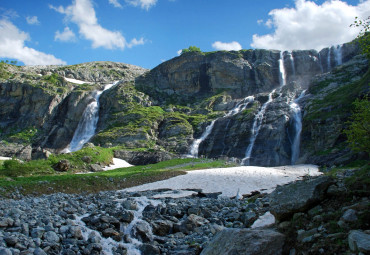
<point>12,46</point>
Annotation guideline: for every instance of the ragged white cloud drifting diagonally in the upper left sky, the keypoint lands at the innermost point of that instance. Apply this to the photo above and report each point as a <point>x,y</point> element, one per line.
<point>82,13</point>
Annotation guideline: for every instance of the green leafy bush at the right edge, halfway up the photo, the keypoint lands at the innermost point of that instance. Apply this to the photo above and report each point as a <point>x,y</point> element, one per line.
<point>358,132</point>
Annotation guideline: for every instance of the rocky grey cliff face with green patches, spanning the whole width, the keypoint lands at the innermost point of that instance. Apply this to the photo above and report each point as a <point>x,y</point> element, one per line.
<point>248,94</point>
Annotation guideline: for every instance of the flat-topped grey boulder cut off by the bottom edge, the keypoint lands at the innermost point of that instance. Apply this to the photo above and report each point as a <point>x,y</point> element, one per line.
<point>246,241</point>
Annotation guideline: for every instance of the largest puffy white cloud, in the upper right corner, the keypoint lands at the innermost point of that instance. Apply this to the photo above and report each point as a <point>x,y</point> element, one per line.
<point>312,26</point>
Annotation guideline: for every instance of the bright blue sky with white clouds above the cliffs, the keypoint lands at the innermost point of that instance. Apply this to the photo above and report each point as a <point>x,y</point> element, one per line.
<point>148,32</point>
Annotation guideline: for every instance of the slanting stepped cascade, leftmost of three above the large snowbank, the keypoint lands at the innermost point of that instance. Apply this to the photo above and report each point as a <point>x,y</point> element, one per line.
<point>240,106</point>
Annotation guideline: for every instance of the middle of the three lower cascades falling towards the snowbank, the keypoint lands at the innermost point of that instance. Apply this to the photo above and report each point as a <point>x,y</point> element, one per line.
<point>257,123</point>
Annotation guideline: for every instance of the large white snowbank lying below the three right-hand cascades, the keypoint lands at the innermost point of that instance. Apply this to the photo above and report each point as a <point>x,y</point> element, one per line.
<point>229,180</point>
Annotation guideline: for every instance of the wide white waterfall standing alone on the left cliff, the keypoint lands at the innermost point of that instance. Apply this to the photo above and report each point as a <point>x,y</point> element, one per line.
<point>87,124</point>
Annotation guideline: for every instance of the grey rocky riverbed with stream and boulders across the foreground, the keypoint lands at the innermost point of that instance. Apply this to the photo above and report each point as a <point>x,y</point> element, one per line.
<point>314,216</point>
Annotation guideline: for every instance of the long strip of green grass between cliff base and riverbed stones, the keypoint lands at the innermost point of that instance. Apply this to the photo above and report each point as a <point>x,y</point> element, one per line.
<point>109,180</point>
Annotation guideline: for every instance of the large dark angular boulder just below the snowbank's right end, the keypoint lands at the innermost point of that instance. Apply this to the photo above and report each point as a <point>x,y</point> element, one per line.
<point>298,196</point>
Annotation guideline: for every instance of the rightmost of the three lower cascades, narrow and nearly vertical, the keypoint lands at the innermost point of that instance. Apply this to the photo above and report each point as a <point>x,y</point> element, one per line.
<point>297,122</point>
